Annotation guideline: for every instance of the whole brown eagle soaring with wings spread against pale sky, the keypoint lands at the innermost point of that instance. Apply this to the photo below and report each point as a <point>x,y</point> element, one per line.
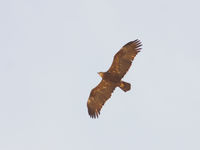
<point>112,78</point>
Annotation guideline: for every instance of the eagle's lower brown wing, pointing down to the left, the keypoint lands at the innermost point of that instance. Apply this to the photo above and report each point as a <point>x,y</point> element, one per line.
<point>98,96</point>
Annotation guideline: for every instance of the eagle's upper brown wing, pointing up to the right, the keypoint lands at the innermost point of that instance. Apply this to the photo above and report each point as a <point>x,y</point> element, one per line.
<point>124,57</point>
